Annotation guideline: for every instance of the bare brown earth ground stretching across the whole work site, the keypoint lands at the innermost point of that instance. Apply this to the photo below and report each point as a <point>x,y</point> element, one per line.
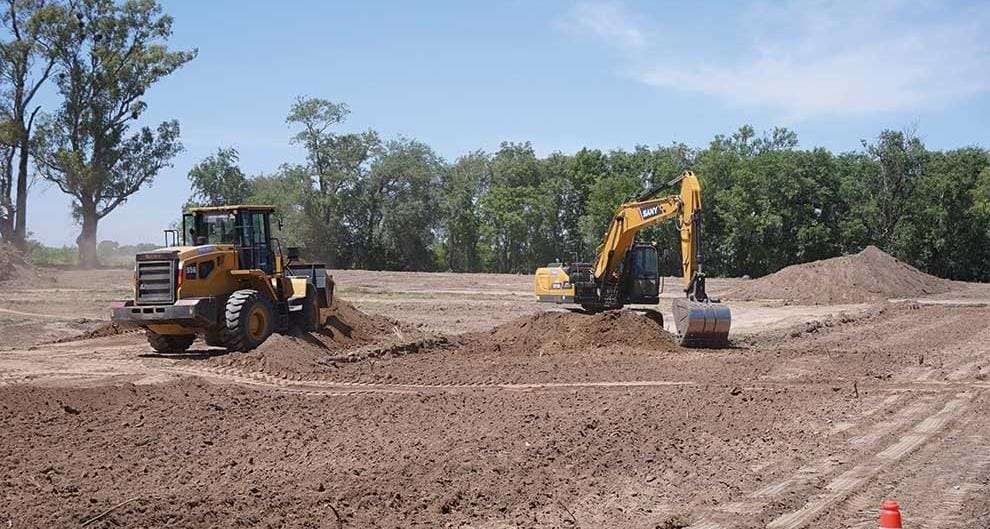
<point>816,415</point>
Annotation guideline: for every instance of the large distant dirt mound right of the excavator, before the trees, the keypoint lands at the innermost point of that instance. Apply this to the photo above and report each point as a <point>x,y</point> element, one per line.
<point>870,275</point>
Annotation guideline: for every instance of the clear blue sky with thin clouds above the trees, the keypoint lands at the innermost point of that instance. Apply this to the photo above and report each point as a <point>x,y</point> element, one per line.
<point>462,76</point>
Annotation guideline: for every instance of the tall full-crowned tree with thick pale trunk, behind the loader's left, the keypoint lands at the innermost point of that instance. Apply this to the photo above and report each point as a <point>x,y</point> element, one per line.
<point>111,58</point>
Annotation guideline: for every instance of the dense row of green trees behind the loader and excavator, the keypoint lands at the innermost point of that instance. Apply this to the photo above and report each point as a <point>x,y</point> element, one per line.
<point>363,202</point>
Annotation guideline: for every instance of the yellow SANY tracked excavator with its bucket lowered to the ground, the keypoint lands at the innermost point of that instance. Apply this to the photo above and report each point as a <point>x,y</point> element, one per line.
<point>626,272</point>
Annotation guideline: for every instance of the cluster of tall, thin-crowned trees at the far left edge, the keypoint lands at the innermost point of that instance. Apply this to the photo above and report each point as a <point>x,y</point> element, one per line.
<point>99,57</point>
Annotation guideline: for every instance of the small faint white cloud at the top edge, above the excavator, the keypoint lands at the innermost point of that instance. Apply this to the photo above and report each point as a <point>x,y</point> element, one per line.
<point>608,21</point>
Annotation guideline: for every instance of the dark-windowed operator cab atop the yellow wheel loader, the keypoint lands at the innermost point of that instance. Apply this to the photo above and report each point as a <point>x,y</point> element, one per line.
<point>247,228</point>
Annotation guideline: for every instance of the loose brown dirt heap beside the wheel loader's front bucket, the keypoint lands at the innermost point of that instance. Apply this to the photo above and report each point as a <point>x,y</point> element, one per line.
<point>345,329</point>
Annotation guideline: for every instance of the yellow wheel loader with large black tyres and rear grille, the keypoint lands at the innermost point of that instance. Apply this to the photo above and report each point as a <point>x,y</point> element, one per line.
<point>225,278</point>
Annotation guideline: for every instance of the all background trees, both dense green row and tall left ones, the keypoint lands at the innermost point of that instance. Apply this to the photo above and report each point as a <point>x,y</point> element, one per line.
<point>361,200</point>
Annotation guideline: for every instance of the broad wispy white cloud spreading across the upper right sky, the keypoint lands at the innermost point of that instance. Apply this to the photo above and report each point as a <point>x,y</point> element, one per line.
<point>810,58</point>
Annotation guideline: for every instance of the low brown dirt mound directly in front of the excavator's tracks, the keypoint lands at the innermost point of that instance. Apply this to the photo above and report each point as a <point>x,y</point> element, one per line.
<point>554,332</point>
